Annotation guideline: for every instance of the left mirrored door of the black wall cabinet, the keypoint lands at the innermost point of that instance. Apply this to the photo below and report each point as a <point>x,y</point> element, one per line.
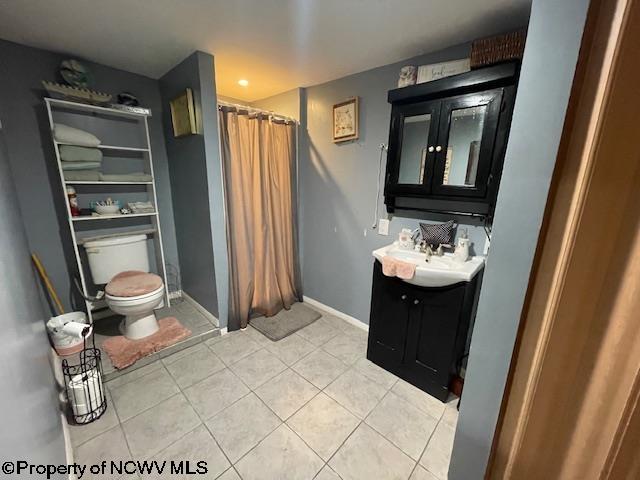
<point>414,132</point>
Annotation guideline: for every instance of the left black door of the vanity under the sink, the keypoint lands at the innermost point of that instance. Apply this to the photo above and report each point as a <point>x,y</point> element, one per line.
<point>388,321</point>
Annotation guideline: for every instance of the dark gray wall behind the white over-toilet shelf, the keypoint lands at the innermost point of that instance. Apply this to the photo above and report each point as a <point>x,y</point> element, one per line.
<point>33,160</point>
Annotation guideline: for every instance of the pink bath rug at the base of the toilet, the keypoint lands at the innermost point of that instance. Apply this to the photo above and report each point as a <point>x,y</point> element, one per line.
<point>124,352</point>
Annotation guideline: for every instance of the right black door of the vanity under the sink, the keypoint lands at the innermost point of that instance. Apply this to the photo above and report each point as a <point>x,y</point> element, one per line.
<point>432,333</point>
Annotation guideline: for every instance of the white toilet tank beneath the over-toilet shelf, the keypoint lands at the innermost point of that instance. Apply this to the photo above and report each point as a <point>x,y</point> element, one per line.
<point>110,256</point>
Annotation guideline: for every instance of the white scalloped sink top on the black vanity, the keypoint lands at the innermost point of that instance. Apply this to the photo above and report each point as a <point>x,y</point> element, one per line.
<point>438,271</point>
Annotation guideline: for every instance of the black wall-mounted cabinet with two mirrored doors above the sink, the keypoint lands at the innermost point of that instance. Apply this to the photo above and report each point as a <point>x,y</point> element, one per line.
<point>447,142</point>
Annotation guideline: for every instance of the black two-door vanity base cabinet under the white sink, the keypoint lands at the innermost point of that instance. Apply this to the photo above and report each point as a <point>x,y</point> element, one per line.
<point>418,333</point>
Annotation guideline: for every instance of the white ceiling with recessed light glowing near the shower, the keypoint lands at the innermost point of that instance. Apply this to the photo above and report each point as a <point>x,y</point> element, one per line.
<point>275,44</point>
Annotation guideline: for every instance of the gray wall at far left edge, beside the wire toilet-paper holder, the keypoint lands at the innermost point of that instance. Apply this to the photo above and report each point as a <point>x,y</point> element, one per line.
<point>31,423</point>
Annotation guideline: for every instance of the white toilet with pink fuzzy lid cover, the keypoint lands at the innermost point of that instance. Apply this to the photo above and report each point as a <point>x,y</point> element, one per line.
<point>122,263</point>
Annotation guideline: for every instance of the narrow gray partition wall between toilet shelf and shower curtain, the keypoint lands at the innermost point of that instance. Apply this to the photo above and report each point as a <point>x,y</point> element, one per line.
<point>188,166</point>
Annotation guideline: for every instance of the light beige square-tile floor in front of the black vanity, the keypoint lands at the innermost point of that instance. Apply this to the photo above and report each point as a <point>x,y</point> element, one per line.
<point>310,406</point>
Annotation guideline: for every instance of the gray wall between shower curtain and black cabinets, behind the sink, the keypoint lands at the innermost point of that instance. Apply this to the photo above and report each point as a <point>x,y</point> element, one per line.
<point>338,188</point>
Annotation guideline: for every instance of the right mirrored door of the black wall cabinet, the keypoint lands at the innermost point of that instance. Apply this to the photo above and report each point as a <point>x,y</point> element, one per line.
<point>465,146</point>
